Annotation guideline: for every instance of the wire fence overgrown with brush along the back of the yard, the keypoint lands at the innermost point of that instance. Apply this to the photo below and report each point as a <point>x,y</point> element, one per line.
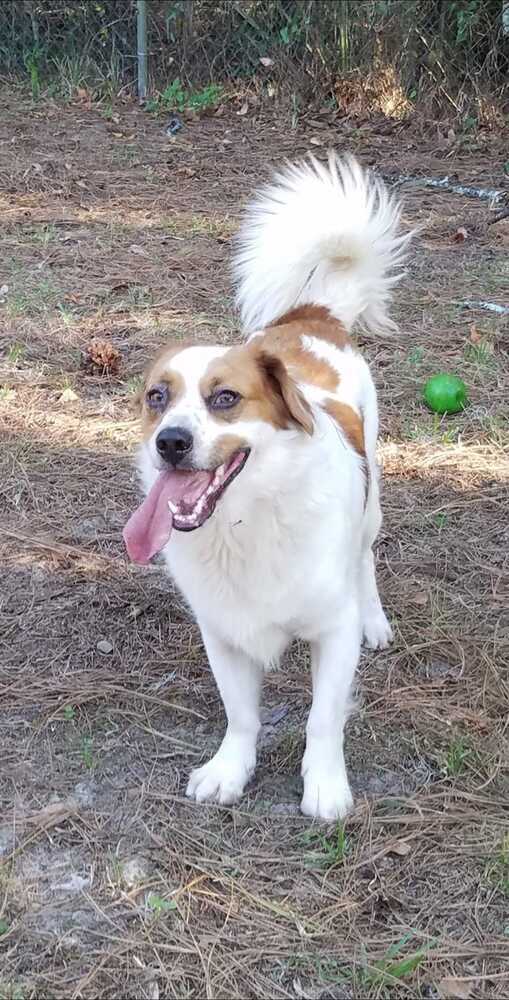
<point>388,55</point>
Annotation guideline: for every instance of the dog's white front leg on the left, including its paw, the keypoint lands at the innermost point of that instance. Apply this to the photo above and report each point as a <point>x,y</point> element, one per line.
<point>238,678</point>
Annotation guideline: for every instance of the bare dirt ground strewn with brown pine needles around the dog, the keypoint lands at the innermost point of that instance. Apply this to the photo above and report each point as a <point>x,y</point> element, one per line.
<point>112,884</point>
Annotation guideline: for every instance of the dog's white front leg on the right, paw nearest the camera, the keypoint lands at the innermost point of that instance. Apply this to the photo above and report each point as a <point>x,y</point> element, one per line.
<point>334,659</point>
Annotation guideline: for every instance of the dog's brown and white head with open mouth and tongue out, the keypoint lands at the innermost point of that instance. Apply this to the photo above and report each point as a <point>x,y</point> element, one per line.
<point>207,413</point>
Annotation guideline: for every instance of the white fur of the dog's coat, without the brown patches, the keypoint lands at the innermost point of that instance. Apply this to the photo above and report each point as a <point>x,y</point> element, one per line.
<point>288,551</point>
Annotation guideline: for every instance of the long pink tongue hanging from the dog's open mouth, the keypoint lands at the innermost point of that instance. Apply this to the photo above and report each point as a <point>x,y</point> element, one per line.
<point>149,528</point>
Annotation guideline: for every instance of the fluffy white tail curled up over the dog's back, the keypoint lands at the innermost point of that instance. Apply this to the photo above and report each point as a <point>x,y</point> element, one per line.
<point>320,234</point>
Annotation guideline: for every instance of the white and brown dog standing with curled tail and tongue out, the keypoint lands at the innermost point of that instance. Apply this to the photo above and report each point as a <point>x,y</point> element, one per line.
<point>258,464</point>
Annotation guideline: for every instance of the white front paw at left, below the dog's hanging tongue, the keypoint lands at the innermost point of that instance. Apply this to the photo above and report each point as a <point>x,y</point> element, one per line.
<point>222,779</point>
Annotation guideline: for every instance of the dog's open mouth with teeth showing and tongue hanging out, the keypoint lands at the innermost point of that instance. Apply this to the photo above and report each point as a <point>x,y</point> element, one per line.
<point>179,499</point>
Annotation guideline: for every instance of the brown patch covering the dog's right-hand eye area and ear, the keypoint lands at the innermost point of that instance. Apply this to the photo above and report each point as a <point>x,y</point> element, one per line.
<point>266,388</point>
